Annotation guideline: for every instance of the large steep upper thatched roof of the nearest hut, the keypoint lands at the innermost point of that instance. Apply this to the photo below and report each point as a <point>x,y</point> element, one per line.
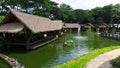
<point>34,23</point>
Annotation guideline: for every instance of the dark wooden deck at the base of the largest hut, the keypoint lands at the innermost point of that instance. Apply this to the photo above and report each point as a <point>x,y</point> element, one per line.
<point>34,44</point>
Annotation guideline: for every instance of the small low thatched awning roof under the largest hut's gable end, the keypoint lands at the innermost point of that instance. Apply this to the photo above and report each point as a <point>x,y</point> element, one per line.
<point>11,27</point>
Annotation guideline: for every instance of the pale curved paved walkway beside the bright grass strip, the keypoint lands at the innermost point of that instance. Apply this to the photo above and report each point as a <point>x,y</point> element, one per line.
<point>102,61</point>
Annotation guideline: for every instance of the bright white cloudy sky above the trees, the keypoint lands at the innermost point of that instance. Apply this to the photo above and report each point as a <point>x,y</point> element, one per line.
<point>87,4</point>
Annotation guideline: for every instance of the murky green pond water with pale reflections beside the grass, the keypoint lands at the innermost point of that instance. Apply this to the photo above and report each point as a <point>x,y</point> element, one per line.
<point>56,52</point>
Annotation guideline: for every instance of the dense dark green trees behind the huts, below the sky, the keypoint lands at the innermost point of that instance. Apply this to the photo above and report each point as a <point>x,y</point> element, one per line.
<point>107,14</point>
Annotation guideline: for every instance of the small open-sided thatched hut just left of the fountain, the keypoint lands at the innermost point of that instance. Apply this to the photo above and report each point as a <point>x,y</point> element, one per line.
<point>71,26</point>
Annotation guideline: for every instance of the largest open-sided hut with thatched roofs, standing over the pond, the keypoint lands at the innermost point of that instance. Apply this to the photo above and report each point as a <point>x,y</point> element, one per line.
<point>23,29</point>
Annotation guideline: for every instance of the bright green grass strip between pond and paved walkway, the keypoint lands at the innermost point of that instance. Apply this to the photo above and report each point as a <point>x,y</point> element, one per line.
<point>80,62</point>
